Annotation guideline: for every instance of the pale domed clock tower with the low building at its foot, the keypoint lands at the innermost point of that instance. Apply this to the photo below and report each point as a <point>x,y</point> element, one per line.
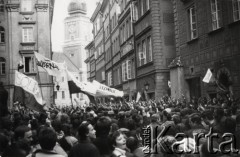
<point>78,34</point>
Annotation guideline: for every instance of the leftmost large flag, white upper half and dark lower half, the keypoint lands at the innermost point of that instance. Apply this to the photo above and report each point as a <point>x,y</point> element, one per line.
<point>27,91</point>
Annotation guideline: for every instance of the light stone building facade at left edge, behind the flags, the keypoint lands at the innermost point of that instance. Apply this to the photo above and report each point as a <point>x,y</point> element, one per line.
<point>25,27</point>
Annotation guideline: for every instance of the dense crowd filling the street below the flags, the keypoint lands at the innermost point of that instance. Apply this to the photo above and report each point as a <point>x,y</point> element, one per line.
<point>116,129</point>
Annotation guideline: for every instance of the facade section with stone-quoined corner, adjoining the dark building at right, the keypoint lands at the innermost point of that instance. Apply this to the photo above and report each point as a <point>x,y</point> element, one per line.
<point>155,45</point>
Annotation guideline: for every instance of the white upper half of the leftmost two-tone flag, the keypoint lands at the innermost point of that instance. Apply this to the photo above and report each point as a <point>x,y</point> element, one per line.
<point>30,85</point>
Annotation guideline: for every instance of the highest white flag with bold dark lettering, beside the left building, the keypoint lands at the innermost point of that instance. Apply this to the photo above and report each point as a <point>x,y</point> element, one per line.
<point>52,68</point>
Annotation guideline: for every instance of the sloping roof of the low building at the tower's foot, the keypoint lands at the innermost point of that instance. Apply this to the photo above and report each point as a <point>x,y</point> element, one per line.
<point>61,57</point>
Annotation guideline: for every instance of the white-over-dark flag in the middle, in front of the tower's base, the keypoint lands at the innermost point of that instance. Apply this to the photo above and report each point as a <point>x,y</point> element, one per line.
<point>81,87</point>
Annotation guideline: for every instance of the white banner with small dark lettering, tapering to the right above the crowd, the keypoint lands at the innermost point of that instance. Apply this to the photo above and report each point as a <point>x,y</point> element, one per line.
<point>103,90</point>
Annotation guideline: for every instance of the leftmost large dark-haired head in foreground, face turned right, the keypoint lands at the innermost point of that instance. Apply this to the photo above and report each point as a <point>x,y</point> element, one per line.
<point>23,132</point>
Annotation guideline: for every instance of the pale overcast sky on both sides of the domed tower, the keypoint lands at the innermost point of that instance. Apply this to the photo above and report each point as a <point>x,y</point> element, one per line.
<point>60,12</point>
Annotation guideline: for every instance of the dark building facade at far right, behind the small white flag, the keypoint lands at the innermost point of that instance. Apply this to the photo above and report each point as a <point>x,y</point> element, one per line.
<point>207,37</point>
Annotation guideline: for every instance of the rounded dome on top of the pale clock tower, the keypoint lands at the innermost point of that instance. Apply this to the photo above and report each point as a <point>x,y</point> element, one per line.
<point>77,6</point>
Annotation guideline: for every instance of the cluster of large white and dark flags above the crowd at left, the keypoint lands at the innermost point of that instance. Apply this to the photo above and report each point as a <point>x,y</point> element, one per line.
<point>27,90</point>
